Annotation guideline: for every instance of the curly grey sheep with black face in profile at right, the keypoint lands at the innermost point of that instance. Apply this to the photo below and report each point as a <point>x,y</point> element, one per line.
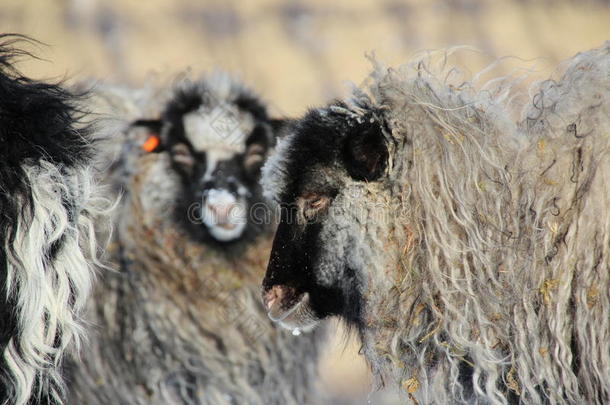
<point>469,248</point>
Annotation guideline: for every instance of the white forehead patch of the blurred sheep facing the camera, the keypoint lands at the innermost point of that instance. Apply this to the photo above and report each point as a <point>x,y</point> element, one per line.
<point>220,127</point>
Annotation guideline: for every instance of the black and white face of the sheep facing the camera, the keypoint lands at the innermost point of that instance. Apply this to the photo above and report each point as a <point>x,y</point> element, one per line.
<point>217,147</point>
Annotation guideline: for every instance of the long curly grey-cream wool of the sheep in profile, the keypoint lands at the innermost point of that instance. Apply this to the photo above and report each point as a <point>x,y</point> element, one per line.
<point>493,287</point>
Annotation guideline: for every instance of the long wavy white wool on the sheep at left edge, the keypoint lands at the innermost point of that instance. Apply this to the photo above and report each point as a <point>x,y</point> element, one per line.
<point>50,293</point>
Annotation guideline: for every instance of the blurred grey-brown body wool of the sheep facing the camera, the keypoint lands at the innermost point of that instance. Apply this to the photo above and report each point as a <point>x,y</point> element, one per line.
<point>181,322</point>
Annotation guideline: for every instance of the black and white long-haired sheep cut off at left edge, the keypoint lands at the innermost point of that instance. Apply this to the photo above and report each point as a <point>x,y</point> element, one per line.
<point>48,200</point>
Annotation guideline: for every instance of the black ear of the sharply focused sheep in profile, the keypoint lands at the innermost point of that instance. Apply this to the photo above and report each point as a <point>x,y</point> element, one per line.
<point>365,153</point>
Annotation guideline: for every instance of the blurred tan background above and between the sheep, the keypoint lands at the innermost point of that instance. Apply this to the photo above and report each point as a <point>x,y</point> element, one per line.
<point>296,54</point>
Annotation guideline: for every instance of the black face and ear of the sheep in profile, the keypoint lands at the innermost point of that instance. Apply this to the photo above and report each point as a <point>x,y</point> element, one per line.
<point>312,273</point>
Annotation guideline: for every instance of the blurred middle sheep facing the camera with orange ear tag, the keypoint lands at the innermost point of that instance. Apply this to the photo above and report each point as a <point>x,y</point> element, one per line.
<point>181,321</point>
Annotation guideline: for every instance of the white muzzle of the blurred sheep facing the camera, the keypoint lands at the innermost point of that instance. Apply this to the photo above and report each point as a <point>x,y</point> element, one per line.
<point>224,215</point>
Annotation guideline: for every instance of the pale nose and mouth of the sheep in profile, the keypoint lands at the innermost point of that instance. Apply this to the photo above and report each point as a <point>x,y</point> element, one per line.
<point>290,308</point>
